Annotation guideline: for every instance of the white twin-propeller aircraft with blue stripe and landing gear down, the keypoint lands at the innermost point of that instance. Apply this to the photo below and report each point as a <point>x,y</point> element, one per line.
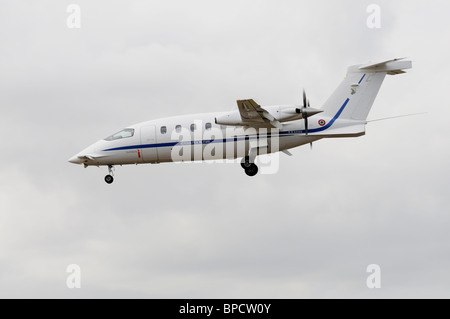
<point>249,131</point>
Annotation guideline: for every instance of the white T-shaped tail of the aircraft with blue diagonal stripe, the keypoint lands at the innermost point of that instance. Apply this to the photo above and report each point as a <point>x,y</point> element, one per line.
<point>354,97</point>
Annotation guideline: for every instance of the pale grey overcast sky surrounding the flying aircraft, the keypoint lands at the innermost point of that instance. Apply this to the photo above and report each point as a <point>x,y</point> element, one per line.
<point>208,230</point>
